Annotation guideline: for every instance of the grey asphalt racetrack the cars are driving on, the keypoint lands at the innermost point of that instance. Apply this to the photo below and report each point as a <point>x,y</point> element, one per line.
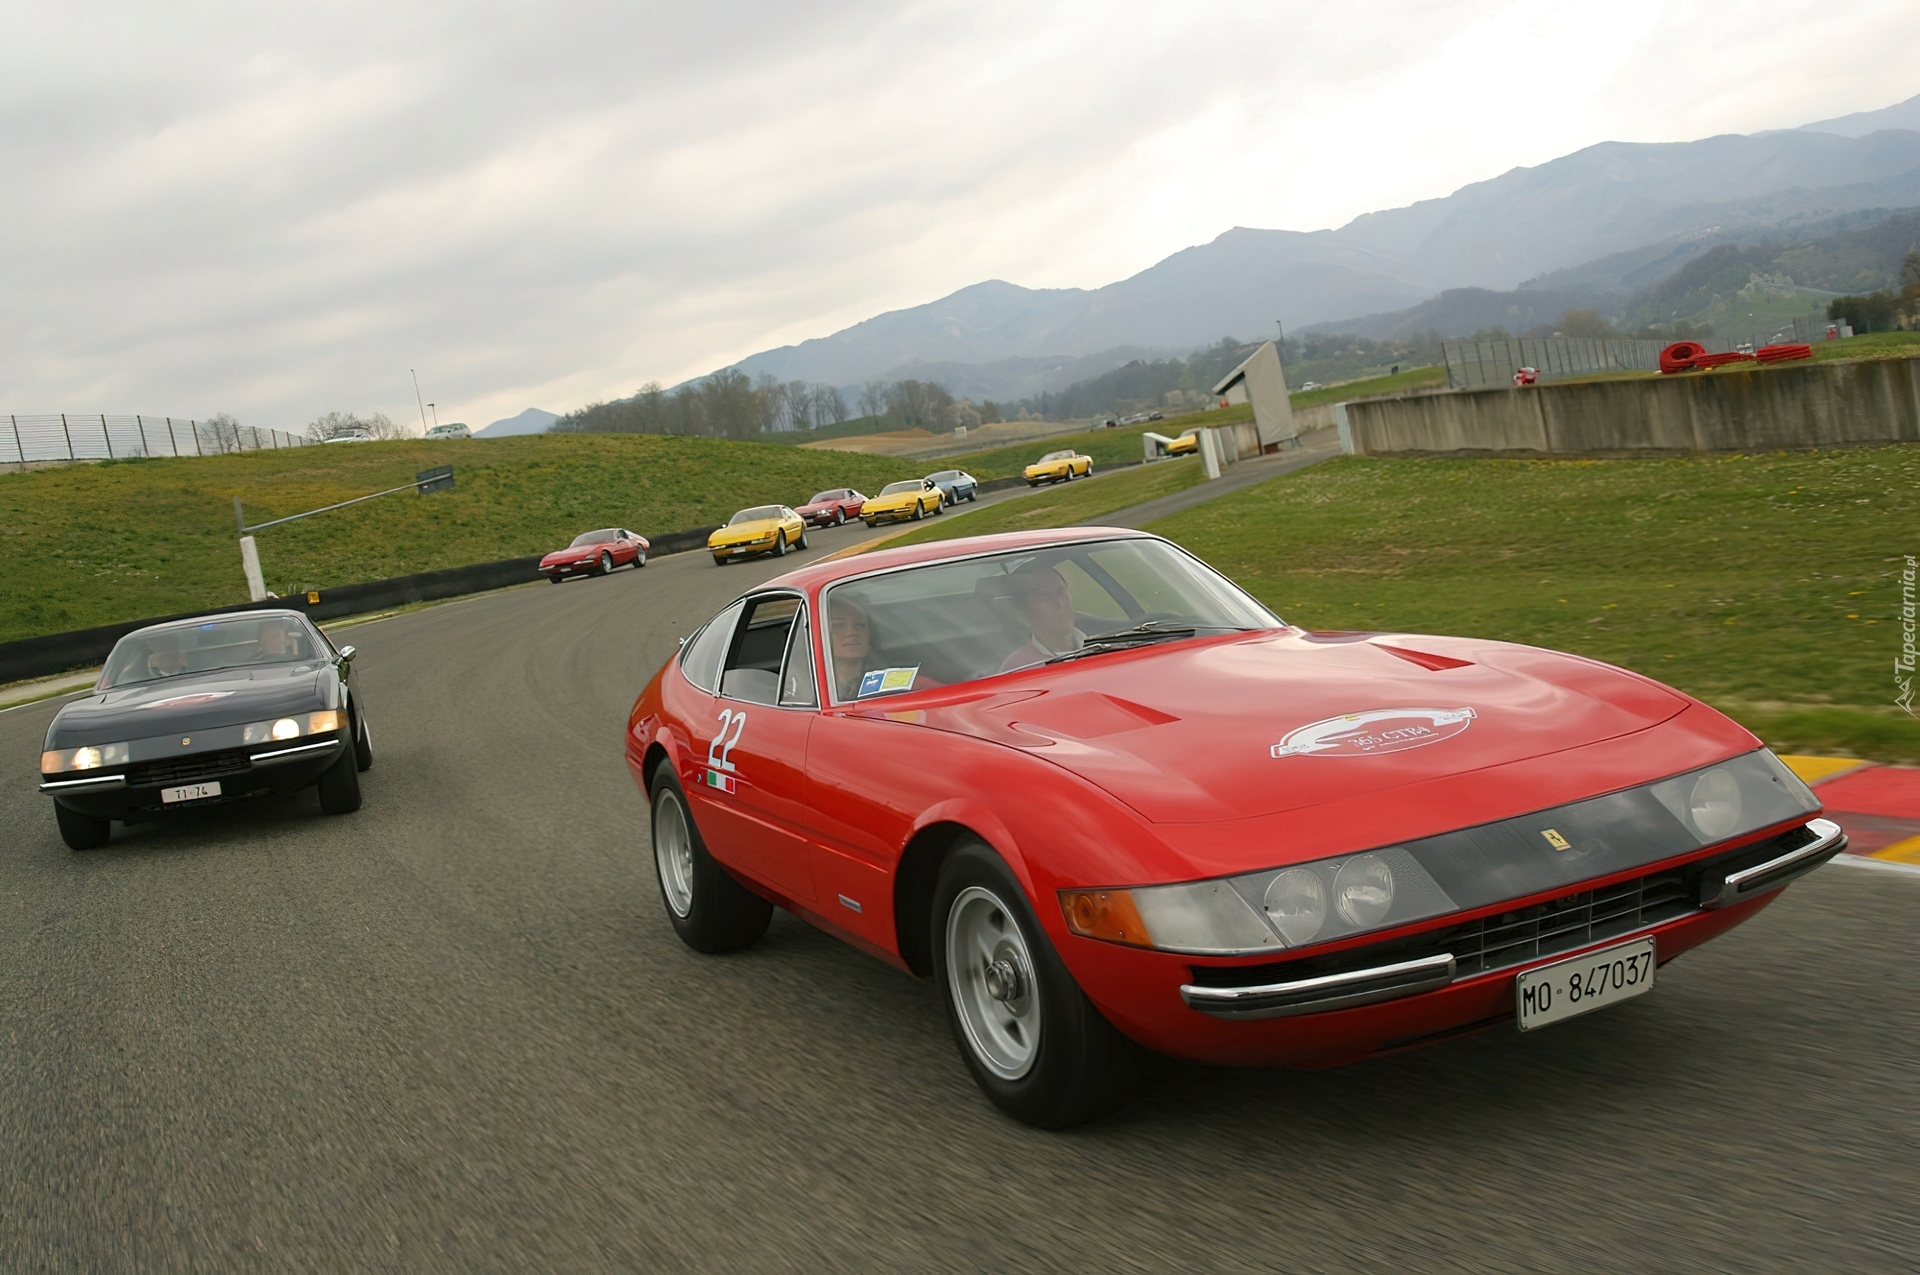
<point>454,1032</point>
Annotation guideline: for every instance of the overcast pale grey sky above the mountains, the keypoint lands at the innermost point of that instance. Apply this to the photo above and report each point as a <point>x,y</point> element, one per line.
<point>277,210</point>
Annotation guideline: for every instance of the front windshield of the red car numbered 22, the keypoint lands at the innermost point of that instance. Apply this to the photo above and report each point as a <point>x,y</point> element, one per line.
<point>961,621</point>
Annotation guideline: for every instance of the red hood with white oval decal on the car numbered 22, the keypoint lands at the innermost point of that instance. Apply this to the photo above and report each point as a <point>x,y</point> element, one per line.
<point>1260,725</point>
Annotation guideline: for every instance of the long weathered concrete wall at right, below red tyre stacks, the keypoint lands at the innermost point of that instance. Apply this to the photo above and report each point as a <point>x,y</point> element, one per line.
<point>1740,410</point>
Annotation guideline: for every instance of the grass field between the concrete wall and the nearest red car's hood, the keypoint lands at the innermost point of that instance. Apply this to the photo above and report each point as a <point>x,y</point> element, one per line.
<point>1765,585</point>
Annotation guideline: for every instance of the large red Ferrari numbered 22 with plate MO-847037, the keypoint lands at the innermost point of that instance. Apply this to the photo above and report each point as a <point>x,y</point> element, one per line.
<point>1105,800</point>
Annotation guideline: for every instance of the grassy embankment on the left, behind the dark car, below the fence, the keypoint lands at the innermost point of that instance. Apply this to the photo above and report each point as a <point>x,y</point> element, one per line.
<point>120,541</point>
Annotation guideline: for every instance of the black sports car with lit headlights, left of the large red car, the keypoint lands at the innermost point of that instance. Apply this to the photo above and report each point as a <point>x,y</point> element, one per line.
<point>208,711</point>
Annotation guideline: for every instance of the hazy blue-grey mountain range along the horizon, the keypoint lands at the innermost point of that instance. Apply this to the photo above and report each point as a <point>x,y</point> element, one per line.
<point>1610,216</point>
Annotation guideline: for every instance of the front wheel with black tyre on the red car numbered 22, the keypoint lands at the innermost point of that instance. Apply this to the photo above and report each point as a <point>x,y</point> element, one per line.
<point>1044,1055</point>
